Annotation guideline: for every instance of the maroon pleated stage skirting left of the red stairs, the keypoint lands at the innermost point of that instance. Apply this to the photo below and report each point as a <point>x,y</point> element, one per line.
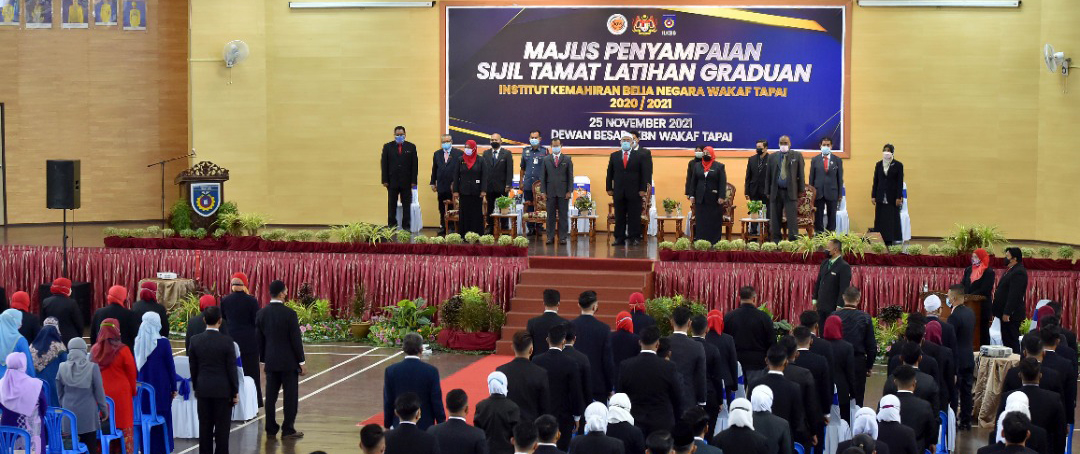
<point>387,279</point>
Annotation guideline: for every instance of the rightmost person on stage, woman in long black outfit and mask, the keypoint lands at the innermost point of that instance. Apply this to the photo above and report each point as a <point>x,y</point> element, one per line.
<point>888,196</point>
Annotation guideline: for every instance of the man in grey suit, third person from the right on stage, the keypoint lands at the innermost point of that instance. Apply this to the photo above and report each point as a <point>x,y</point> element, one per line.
<point>786,184</point>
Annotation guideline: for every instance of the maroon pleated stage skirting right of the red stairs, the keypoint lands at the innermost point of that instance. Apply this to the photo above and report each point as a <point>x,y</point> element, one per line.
<point>790,287</point>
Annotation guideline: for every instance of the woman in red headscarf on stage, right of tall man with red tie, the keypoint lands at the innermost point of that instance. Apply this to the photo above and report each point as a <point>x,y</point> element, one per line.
<point>709,185</point>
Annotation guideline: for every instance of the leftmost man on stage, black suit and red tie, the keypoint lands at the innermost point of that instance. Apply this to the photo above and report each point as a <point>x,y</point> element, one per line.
<point>399,177</point>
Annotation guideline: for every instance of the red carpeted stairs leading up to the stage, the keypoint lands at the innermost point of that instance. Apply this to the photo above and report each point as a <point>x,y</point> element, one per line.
<point>613,279</point>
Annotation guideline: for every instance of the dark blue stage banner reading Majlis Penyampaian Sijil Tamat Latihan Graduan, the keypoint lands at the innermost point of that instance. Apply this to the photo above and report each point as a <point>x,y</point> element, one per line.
<point>682,76</point>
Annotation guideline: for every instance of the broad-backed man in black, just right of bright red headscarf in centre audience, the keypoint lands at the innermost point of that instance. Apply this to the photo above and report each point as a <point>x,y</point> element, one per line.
<point>753,333</point>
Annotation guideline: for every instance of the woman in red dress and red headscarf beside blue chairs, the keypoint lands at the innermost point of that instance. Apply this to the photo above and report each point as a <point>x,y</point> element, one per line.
<point>118,375</point>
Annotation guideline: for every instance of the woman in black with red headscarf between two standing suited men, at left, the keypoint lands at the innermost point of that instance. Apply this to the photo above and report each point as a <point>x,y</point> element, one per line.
<point>239,311</point>
